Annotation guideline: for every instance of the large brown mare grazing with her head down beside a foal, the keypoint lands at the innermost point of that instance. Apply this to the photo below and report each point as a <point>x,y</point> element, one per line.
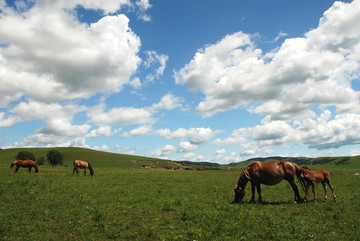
<point>268,173</point>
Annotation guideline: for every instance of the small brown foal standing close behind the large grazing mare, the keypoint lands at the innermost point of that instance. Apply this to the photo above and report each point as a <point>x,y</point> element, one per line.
<point>313,178</point>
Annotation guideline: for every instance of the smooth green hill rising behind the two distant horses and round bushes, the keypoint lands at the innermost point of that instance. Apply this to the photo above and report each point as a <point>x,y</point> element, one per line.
<point>96,158</point>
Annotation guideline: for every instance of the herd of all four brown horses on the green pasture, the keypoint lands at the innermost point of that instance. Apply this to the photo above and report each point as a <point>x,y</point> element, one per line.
<point>267,173</point>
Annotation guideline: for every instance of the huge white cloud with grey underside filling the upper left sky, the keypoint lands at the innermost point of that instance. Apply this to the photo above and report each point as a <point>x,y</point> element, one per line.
<point>46,48</point>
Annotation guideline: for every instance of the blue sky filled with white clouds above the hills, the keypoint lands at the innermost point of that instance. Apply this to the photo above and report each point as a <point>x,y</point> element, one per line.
<point>219,81</point>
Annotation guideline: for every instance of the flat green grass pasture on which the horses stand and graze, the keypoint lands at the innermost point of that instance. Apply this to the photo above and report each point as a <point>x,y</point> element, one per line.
<point>122,204</point>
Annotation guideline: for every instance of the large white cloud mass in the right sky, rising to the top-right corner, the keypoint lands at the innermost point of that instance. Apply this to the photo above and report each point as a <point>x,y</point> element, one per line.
<point>304,71</point>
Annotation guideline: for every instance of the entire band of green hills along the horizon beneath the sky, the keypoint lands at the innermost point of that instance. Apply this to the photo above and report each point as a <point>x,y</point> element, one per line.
<point>103,159</point>
